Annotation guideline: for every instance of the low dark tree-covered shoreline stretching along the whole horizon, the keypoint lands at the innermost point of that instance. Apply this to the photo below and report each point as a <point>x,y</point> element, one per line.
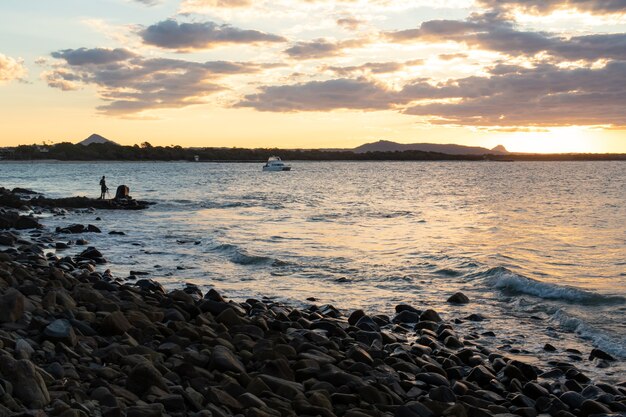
<point>146,152</point>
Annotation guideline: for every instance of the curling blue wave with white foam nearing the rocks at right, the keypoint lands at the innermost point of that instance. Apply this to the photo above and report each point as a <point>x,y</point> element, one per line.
<point>512,283</point>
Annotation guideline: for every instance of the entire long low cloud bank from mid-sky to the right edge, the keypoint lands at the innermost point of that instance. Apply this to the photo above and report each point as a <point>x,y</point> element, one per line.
<point>510,96</point>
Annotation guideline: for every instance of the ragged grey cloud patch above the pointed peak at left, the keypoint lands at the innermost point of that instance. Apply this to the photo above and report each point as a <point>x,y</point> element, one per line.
<point>136,84</point>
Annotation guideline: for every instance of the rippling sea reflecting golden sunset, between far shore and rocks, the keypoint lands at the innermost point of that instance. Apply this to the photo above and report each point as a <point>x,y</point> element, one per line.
<point>538,247</point>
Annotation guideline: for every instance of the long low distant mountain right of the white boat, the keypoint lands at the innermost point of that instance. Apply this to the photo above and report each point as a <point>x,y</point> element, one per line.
<point>388,146</point>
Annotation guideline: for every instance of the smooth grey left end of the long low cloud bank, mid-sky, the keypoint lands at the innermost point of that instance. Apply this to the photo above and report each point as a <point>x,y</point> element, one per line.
<point>359,94</point>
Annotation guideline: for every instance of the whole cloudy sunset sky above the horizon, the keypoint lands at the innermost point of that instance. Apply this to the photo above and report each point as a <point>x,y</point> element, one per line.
<point>532,75</point>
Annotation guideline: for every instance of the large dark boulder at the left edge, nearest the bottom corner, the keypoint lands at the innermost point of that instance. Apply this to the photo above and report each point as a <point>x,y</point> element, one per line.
<point>28,385</point>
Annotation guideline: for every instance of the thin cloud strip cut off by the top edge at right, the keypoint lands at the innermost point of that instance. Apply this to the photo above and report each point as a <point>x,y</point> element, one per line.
<point>549,6</point>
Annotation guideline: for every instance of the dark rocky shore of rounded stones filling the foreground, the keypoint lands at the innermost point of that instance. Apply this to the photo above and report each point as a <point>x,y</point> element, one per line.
<point>75,341</point>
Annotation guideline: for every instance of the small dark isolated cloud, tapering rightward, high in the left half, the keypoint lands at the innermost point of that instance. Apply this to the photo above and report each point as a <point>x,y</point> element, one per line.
<point>170,34</point>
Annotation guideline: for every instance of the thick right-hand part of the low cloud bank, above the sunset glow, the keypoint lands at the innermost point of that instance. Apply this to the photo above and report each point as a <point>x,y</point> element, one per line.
<point>542,96</point>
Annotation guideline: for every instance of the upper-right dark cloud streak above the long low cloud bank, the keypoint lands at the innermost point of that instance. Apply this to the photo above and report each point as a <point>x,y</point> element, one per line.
<point>491,31</point>
